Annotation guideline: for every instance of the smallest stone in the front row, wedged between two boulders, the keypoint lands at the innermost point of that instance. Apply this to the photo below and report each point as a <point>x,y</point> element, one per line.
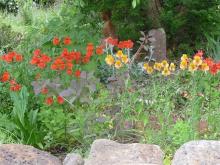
<point>73,159</point>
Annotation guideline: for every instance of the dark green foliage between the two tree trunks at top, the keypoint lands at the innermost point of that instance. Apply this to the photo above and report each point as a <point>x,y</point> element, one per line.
<point>128,20</point>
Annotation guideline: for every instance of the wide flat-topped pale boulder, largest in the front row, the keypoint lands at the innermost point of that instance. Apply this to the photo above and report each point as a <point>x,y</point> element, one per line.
<point>107,152</point>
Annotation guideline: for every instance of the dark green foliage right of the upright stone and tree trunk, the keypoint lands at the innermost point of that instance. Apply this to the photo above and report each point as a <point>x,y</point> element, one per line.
<point>193,18</point>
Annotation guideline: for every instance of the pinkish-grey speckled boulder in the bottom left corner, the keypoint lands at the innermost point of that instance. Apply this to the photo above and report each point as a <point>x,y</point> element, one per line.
<point>17,154</point>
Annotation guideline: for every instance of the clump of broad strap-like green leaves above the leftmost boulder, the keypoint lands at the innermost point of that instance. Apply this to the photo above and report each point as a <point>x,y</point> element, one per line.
<point>25,121</point>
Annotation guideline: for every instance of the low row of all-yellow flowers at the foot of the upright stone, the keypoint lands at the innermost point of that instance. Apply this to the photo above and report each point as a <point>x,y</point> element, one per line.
<point>163,67</point>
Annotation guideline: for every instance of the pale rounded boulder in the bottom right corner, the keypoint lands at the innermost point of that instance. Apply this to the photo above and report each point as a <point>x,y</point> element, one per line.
<point>201,152</point>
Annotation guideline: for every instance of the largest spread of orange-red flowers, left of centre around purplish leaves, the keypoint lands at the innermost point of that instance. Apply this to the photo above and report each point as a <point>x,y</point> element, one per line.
<point>68,61</point>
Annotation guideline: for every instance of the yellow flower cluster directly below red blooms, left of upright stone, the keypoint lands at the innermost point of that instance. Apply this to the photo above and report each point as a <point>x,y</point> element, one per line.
<point>117,60</point>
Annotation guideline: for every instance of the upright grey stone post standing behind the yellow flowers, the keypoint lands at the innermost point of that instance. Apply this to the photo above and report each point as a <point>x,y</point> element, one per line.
<point>158,41</point>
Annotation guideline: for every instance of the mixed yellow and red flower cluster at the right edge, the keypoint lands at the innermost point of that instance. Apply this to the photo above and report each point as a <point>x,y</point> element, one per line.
<point>199,63</point>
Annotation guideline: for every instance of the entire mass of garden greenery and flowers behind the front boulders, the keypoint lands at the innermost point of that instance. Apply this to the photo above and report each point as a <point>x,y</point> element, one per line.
<point>60,105</point>
